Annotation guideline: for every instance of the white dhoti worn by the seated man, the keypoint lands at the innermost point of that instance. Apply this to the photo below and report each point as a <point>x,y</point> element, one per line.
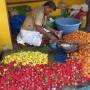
<point>30,37</point>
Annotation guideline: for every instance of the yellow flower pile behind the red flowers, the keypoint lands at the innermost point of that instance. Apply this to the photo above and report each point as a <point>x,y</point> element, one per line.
<point>27,57</point>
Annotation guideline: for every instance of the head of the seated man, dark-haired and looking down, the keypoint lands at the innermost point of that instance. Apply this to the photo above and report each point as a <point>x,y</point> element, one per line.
<point>49,7</point>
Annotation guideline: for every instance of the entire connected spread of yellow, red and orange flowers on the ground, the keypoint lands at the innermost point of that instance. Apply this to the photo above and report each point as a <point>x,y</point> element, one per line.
<point>30,70</point>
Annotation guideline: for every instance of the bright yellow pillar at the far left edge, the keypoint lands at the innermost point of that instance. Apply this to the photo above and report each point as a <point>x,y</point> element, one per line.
<point>5,39</point>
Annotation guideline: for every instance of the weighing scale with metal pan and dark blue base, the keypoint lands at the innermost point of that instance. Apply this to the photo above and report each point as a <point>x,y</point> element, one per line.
<point>61,50</point>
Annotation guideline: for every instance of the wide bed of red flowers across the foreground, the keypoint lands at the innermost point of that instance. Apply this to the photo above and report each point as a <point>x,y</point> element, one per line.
<point>41,77</point>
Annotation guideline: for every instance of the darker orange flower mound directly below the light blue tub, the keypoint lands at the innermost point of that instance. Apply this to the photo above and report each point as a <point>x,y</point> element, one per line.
<point>79,37</point>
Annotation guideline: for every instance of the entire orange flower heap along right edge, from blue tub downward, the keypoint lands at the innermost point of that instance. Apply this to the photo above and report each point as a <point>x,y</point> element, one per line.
<point>83,39</point>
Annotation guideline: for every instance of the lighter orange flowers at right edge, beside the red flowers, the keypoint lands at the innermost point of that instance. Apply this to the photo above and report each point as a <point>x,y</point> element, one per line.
<point>84,53</point>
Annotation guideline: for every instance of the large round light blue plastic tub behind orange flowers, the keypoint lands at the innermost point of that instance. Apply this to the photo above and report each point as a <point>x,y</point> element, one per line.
<point>67,25</point>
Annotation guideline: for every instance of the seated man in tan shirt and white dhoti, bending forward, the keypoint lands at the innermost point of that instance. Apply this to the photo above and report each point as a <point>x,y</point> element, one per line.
<point>35,28</point>
